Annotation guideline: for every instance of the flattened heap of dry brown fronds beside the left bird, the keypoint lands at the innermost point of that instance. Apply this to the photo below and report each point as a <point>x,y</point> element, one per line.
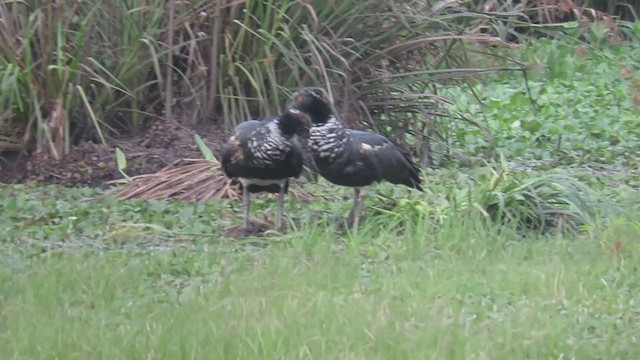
<point>187,180</point>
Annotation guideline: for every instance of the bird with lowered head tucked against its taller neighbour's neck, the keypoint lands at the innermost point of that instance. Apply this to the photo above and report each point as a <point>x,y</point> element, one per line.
<point>263,155</point>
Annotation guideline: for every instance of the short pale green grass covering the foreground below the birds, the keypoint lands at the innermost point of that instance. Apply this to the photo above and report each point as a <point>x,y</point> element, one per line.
<point>459,289</point>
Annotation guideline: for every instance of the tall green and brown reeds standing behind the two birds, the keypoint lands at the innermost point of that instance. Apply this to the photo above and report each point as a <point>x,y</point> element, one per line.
<point>100,72</point>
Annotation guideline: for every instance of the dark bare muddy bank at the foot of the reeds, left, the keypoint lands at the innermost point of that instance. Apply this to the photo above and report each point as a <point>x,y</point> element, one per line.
<point>93,164</point>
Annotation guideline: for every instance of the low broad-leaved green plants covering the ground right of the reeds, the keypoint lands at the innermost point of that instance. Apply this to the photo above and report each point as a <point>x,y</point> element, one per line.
<point>579,108</point>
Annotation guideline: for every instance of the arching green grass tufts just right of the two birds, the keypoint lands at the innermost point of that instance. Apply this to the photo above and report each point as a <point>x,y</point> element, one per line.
<point>539,202</point>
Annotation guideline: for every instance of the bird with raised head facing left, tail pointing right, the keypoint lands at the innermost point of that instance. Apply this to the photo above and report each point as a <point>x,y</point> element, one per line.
<point>349,157</point>
